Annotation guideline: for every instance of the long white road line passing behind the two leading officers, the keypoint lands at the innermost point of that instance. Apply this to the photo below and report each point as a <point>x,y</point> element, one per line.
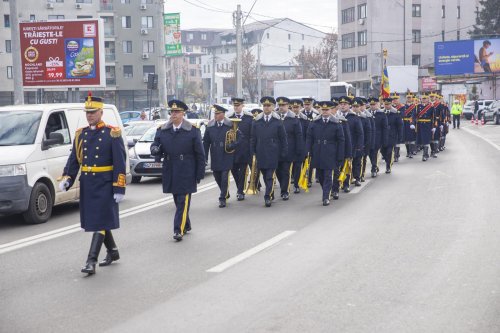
<point>28,241</point>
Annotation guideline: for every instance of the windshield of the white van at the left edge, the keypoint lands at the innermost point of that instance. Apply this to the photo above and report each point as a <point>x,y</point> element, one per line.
<point>19,127</point>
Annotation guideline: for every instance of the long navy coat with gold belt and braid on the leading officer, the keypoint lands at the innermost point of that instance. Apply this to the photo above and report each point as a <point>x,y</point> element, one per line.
<point>101,147</point>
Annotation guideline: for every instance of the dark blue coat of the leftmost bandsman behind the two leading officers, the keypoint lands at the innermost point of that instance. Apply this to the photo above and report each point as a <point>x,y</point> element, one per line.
<point>214,140</point>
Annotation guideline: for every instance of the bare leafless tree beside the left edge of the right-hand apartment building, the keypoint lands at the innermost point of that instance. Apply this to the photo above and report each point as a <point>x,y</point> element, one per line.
<point>320,62</point>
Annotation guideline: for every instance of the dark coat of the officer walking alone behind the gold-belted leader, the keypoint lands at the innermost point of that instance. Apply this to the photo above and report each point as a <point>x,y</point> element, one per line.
<point>183,157</point>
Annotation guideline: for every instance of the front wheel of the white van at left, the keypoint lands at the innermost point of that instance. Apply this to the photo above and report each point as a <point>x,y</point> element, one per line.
<point>40,206</point>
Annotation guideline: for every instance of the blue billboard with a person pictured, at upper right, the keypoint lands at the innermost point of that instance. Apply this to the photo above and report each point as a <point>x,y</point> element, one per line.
<point>467,57</point>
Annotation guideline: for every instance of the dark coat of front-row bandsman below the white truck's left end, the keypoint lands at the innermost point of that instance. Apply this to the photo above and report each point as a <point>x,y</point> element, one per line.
<point>268,142</point>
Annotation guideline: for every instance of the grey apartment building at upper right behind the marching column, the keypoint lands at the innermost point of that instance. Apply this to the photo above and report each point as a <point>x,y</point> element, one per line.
<point>406,28</point>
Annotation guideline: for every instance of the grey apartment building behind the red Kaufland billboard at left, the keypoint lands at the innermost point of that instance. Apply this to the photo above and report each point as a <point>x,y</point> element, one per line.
<point>132,47</point>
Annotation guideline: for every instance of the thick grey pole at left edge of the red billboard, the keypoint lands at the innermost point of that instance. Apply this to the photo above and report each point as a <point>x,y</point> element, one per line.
<point>16,54</point>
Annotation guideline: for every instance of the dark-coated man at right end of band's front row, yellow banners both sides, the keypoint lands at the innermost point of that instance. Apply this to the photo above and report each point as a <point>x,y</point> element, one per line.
<point>325,142</point>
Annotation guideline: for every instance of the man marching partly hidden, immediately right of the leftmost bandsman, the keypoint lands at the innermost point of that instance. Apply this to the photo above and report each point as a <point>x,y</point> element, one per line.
<point>242,157</point>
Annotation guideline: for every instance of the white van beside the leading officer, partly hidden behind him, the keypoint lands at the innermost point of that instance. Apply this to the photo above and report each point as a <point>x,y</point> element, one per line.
<point>35,142</point>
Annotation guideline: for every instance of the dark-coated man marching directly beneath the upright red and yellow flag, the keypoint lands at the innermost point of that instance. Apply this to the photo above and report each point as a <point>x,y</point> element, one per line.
<point>395,123</point>
